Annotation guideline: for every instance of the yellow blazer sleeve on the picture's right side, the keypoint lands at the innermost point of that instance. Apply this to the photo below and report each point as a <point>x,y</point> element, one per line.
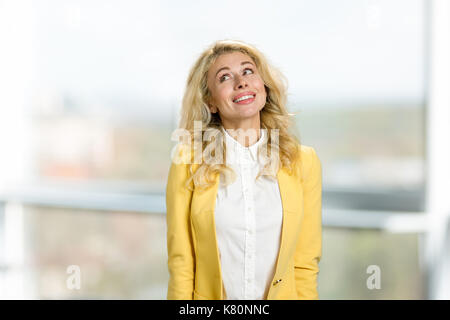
<point>309,247</point>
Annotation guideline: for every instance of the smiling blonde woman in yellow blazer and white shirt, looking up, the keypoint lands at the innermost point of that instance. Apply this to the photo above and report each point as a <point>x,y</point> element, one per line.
<point>241,224</point>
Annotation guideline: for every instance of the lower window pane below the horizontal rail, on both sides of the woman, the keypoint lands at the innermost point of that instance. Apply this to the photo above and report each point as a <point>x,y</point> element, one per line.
<point>123,256</point>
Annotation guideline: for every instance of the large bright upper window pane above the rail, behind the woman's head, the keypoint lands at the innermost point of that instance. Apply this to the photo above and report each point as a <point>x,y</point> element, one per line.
<point>106,79</point>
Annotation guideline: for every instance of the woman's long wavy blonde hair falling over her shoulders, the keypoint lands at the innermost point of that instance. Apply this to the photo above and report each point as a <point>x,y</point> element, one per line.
<point>274,115</point>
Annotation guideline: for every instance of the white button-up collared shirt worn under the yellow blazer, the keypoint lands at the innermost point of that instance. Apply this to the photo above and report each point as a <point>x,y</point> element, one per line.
<point>248,216</point>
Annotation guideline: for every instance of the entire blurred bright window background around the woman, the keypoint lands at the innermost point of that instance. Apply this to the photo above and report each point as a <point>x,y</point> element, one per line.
<point>90,92</point>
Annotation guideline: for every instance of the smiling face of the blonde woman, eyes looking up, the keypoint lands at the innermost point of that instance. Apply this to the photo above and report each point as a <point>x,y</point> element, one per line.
<point>237,89</point>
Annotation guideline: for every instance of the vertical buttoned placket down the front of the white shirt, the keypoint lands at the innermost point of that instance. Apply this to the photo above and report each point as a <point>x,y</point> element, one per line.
<point>250,239</point>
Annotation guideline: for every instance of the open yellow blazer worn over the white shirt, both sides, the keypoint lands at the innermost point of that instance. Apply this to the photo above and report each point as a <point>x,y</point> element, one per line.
<point>193,255</point>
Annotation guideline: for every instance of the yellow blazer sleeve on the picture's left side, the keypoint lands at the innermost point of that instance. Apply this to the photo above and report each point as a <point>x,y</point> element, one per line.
<point>181,262</point>
